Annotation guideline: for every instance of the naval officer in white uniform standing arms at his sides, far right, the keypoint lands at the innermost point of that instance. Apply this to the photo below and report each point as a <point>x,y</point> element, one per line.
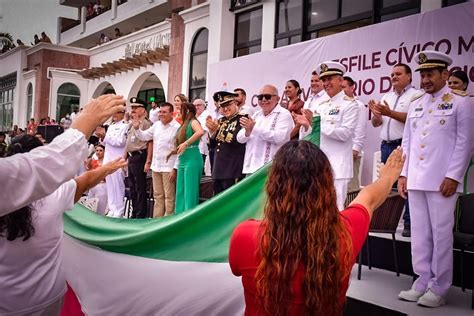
<point>437,144</point>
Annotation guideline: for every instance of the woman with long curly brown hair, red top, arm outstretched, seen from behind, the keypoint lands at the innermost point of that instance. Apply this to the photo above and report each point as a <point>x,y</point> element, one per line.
<point>298,259</point>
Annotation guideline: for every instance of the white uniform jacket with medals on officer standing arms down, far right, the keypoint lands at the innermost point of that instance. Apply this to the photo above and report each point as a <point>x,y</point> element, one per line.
<point>437,140</point>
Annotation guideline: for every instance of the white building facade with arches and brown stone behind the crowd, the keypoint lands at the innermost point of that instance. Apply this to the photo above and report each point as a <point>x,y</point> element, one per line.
<point>156,49</point>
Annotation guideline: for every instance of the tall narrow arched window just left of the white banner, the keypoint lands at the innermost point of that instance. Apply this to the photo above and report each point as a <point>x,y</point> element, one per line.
<point>198,66</point>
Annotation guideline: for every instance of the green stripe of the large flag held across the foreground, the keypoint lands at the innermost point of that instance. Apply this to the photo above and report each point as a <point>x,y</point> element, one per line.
<point>201,234</point>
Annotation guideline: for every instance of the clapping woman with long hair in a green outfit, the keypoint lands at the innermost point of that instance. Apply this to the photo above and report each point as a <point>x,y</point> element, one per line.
<point>190,162</point>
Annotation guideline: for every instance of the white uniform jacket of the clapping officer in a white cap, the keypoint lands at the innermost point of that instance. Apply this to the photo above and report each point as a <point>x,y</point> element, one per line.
<point>338,122</point>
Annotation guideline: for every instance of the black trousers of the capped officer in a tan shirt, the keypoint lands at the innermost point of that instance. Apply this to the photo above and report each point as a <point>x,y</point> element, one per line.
<point>137,183</point>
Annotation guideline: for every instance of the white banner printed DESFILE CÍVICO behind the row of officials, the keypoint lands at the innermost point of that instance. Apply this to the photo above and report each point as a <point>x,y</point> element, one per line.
<point>368,53</point>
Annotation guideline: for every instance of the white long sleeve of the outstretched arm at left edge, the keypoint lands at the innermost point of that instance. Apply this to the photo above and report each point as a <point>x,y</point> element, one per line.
<point>40,171</point>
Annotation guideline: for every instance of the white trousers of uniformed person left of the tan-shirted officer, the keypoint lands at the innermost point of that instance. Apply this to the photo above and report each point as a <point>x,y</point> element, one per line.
<point>115,193</point>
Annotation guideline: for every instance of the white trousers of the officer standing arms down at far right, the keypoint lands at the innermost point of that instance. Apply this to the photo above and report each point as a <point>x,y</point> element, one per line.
<point>432,221</point>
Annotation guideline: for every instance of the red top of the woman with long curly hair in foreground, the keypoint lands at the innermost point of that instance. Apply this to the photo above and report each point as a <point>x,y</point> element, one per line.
<point>244,261</point>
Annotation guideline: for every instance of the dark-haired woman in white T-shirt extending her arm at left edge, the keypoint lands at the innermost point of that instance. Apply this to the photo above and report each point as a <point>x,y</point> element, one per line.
<point>31,280</point>
